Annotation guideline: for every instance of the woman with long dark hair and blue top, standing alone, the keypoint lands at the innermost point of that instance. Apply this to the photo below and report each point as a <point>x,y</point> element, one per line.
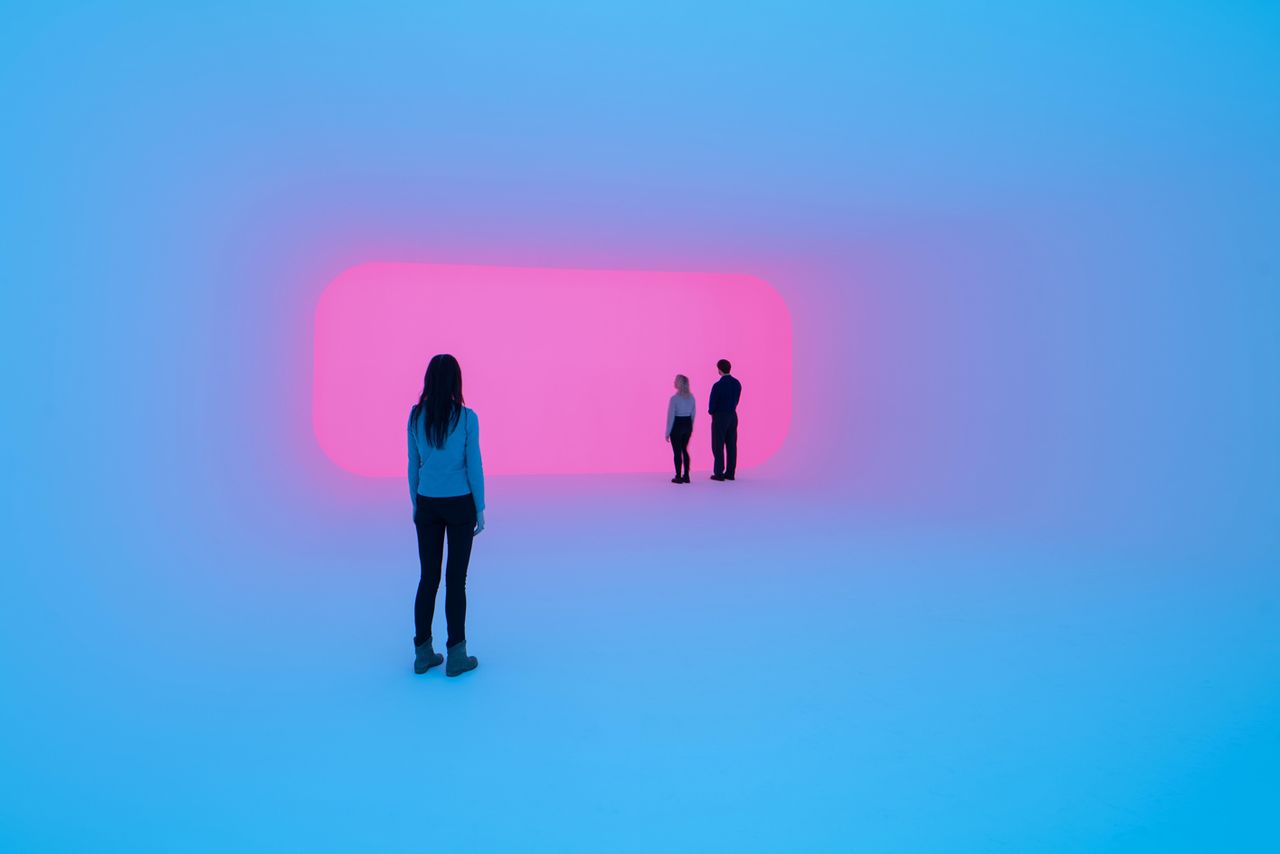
<point>446,485</point>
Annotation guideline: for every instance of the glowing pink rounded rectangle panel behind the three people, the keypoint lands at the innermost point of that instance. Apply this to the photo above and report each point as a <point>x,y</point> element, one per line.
<point>569,371</point>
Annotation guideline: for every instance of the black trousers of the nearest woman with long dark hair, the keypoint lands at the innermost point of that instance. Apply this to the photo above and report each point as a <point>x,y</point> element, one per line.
<point>433,519</point>
